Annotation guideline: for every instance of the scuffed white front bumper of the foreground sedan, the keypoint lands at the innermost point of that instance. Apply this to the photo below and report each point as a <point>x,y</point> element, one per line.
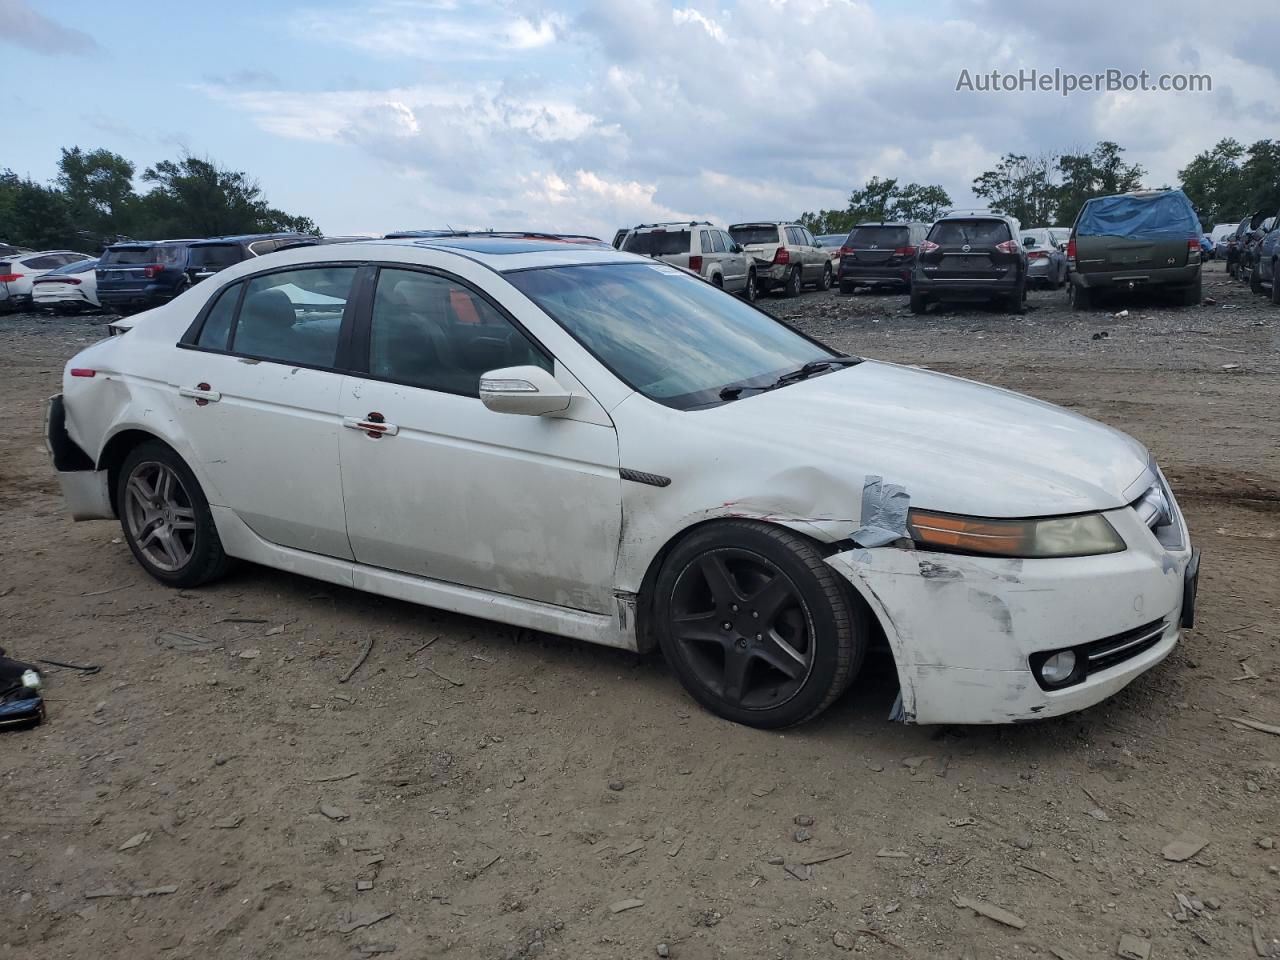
<point>964,629</point>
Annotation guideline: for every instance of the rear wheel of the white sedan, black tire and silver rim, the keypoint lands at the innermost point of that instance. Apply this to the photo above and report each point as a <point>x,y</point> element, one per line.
<point>166,518</point>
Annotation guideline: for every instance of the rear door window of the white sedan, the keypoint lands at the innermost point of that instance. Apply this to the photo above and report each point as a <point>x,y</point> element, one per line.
<point>294,316</point>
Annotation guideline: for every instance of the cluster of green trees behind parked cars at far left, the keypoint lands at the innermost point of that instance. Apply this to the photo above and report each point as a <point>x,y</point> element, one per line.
<point>94,203</point>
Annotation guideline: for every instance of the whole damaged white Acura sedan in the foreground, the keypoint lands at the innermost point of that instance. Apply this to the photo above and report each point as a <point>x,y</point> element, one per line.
<point>588,444</point>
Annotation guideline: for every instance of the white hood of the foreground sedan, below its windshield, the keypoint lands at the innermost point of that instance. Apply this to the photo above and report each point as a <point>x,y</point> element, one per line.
<point>954,445</point>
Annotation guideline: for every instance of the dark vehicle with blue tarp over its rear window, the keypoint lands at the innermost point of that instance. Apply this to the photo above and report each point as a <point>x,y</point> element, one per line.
<point>1144,240</point>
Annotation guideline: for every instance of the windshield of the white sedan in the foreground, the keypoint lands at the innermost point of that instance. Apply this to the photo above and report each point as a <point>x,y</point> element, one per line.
<point>670,336</point>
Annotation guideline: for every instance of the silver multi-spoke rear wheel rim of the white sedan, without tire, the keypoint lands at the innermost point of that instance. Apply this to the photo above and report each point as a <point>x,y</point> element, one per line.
<point>161,518</point>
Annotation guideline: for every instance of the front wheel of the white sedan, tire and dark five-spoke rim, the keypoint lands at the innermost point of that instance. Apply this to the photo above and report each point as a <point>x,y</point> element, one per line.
<point>756,625</point>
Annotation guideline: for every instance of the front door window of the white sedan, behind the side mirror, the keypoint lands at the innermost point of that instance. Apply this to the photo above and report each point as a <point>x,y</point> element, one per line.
<point>436,333</point>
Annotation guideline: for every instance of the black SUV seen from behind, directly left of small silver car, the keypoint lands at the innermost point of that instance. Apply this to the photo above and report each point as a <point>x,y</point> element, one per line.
<point>968,258</point>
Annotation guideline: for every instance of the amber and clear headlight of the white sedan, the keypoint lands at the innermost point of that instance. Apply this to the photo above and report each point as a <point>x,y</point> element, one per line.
<point>1082,536</point>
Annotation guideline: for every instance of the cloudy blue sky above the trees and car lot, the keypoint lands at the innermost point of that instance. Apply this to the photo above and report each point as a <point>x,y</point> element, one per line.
<point>587,116</point>
